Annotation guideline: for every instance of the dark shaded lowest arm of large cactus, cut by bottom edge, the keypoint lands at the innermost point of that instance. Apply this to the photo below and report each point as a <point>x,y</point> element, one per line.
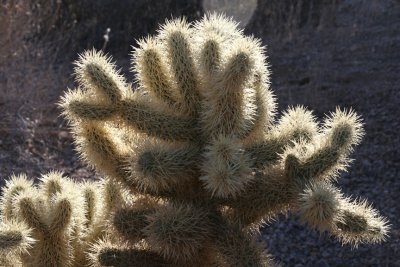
<point>120,254</point>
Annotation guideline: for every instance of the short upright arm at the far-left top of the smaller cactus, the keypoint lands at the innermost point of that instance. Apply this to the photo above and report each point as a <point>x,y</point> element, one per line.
<point>15,185</point>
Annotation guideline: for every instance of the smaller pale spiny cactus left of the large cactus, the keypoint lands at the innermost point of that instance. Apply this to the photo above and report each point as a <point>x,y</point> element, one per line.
<point>54,223</point>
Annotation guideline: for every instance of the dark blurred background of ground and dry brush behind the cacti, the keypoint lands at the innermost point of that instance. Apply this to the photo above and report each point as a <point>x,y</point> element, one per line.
<point>322,54</point>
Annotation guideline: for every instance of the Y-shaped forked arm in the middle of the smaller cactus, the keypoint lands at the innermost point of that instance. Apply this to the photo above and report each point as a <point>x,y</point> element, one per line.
<point>57,227</point>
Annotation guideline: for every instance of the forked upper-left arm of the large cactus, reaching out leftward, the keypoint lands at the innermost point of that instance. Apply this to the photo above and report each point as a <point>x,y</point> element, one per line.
<point>98,102</point>
